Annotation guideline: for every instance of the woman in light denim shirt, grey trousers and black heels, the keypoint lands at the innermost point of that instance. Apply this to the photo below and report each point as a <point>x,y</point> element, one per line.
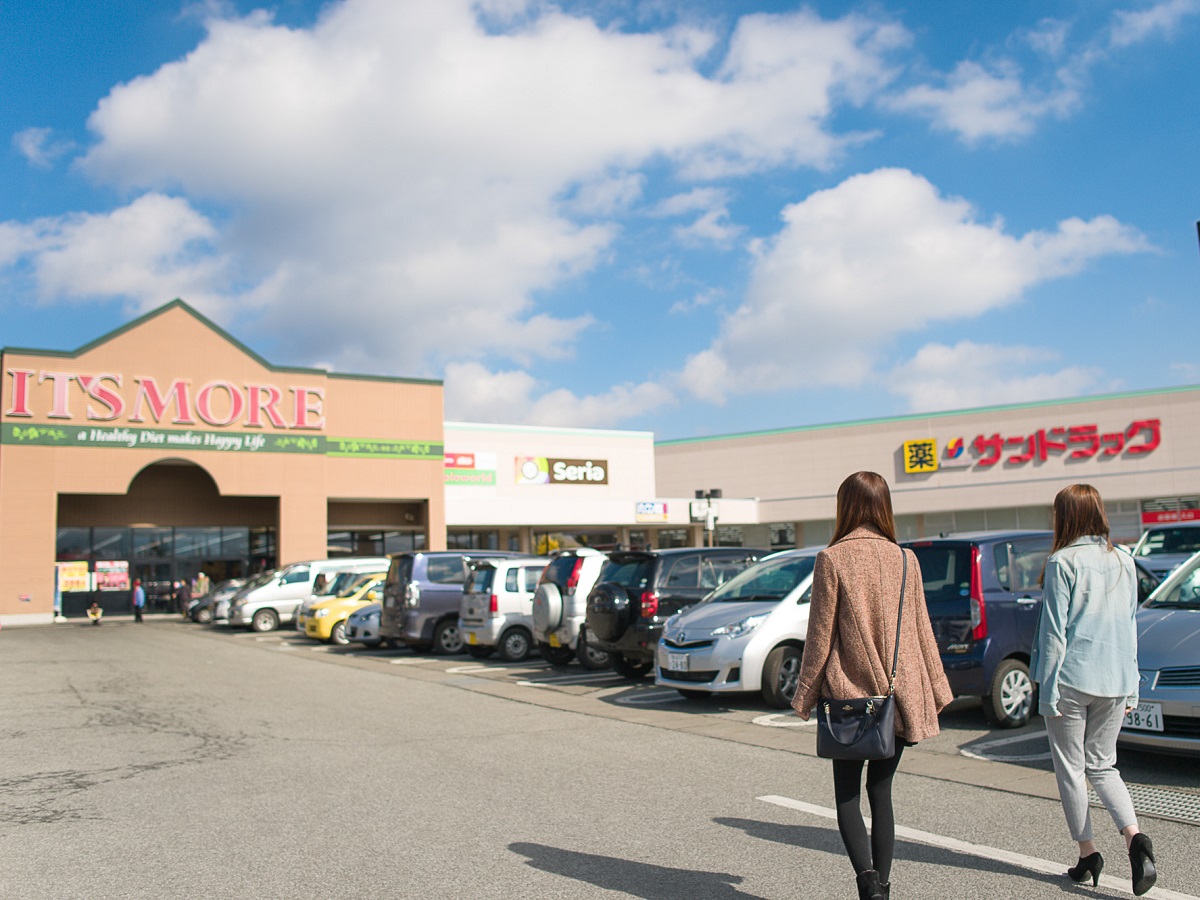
<point>1085,662</point>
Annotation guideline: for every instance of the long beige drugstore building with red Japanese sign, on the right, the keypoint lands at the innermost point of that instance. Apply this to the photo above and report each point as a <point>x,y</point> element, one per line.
<point>963,471</point>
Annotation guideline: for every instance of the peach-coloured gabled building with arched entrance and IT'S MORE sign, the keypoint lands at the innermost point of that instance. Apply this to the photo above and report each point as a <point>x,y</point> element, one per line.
<point>169,448</point>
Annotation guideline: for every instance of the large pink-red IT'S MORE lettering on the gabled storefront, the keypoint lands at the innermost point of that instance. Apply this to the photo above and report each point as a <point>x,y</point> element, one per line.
<point>106,398</point>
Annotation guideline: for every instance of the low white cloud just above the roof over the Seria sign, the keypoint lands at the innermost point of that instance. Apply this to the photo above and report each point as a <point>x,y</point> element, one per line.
<point>476,394</point>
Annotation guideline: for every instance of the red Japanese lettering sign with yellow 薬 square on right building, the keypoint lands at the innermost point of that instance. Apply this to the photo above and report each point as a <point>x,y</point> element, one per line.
<point>1072,442</point>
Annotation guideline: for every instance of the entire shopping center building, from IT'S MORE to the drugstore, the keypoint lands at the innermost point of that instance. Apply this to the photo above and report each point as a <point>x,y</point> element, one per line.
<point>169,448</point>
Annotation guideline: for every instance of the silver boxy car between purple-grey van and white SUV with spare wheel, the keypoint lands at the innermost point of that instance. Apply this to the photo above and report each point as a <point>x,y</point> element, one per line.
<point>496,611</point>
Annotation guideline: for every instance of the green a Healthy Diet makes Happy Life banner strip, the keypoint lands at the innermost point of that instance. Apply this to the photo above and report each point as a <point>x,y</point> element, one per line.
<point>219,441</point>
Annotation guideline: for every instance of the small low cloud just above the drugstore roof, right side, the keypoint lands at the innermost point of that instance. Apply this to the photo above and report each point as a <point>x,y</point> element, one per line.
<point>974,375</point>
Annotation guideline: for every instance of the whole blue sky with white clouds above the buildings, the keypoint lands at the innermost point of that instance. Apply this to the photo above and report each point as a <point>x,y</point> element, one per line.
<point>688,218</point>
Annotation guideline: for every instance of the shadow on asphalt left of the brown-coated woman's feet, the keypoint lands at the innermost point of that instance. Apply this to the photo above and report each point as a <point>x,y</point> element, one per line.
<point>644,880</point>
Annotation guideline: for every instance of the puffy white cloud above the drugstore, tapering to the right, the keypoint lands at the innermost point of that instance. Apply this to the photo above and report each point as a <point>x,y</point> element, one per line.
<point>879,256</point>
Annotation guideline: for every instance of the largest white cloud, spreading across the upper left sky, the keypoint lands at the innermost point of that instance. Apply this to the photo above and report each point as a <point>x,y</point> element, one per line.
<point>401,170</point>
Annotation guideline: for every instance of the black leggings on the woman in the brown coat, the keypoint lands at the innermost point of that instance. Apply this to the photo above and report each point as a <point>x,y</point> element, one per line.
<point>848,785</point>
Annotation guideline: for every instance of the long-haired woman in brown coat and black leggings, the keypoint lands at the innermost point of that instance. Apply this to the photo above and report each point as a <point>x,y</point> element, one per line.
<point>848,653</point>
